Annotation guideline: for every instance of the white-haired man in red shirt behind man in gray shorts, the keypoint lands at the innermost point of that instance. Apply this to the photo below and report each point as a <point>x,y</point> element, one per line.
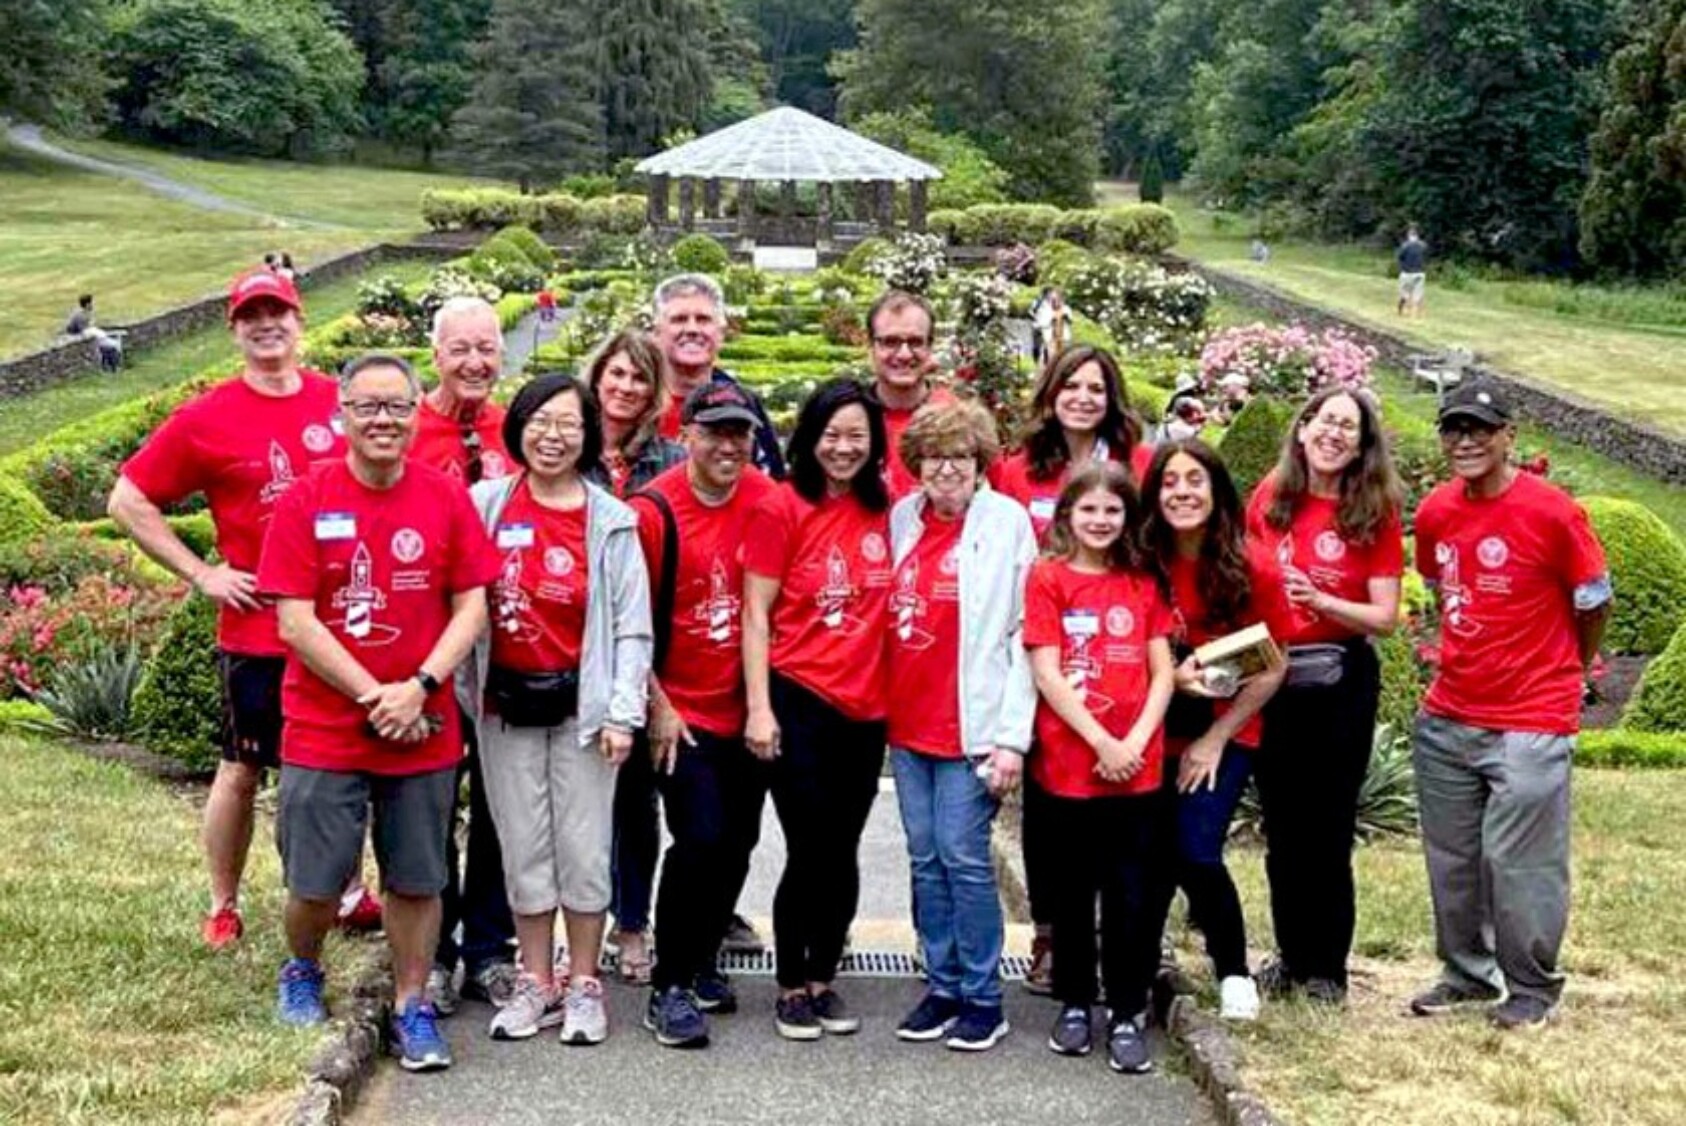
<point>459,431</point>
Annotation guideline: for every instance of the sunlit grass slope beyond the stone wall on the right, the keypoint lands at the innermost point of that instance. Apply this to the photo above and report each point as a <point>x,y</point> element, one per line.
<point>1638,370</point>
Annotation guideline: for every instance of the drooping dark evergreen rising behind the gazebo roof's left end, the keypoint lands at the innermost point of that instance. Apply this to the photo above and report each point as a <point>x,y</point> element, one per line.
<point>653,72</point>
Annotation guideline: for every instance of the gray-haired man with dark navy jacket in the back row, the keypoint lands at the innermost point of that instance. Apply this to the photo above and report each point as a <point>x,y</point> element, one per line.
<point>690,314</point>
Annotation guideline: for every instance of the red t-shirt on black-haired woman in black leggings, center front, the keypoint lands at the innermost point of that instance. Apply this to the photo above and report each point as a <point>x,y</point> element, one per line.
<point>834,569</point>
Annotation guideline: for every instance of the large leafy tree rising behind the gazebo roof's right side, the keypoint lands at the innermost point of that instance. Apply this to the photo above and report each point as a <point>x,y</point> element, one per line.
<point>1019,77</point>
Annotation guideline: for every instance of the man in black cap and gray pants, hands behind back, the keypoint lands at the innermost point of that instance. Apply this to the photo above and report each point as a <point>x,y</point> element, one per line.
<point>1525,596</point>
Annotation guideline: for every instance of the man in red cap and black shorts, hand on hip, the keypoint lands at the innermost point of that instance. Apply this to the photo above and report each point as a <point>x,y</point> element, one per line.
<point>242,444</point>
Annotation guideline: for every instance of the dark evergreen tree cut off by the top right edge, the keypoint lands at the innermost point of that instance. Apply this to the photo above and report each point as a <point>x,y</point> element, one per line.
<point>1635,210</point>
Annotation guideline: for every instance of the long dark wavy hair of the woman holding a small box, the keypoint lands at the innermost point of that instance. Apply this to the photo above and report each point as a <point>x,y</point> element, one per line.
<point>1225,584</point>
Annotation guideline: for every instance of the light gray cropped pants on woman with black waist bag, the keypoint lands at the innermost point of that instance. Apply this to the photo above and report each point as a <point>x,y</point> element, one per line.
<point>554,803</point>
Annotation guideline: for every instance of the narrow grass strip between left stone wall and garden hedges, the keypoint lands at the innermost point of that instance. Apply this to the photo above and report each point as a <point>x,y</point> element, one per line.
<point>28,419</point>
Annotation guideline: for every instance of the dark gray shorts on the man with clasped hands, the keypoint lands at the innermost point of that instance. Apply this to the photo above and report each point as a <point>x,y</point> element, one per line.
<point>323,818</point>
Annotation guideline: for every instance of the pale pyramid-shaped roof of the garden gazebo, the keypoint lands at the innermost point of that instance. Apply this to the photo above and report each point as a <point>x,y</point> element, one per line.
<point>787,144</point>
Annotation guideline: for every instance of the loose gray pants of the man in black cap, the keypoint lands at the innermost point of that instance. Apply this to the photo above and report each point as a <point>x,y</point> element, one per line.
<point>1496,835</point>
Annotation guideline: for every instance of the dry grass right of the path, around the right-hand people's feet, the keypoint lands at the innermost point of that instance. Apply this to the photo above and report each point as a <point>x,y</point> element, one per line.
<point>1611,1056</point>
